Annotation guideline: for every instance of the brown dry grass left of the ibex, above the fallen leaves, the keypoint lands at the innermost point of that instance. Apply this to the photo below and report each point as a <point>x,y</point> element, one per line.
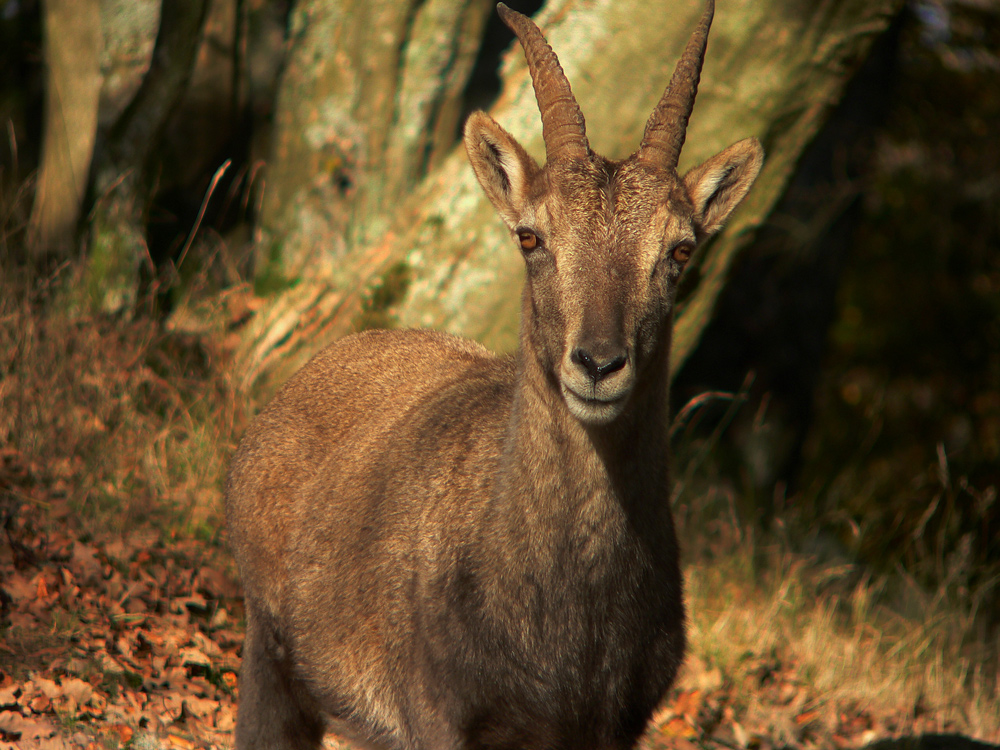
<point>132,423</point>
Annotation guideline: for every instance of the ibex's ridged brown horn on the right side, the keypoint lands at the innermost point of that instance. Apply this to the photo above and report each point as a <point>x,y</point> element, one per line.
<point>667,126</point>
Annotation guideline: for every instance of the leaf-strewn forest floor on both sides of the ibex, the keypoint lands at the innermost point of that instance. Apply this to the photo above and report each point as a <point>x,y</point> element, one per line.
<point>133,641</point>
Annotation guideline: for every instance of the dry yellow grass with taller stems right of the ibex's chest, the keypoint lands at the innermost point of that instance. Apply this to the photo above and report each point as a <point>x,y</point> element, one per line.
<point>796,627</point>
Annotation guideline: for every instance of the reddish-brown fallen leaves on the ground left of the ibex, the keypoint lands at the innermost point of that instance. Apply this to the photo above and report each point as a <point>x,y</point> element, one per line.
<point>128,641</point>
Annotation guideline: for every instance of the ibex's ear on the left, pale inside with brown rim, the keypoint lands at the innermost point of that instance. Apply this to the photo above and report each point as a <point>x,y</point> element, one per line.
<point>502,166</point>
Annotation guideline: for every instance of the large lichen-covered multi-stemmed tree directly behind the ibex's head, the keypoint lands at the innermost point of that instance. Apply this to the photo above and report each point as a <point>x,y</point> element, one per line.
<point>372,215</point>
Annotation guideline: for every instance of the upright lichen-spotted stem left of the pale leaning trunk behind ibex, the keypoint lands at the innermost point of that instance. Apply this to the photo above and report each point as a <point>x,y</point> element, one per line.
<point>367,105</point>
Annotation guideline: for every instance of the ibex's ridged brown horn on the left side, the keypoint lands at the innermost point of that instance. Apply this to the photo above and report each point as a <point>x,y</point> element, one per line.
<point>563,127</point>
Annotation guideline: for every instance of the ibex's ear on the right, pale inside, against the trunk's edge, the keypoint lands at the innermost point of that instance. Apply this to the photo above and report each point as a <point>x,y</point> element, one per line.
<point>717,186</point>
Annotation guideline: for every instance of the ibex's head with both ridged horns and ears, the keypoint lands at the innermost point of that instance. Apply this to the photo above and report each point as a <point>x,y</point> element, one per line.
<point>604,242</point>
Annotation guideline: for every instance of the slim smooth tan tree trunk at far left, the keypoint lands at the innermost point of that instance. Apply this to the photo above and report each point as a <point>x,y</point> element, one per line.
<point>72,89</point>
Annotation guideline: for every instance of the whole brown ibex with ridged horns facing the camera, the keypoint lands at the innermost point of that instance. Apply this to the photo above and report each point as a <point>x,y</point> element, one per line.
<point>444,548</point>
